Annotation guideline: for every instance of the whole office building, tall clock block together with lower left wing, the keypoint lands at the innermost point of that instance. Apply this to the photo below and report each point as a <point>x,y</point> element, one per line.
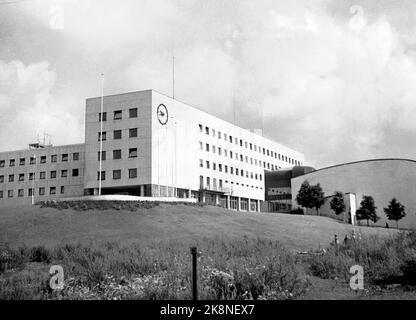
<point>151,146</point>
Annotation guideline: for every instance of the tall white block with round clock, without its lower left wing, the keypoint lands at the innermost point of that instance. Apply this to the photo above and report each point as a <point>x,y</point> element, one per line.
<point>178,151</point>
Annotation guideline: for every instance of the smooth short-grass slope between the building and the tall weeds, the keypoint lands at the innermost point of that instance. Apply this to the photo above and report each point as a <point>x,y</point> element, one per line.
<point>33,225</point>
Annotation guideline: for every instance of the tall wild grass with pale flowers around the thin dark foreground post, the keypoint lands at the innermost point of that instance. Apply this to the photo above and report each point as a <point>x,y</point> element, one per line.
<point>228,269</point>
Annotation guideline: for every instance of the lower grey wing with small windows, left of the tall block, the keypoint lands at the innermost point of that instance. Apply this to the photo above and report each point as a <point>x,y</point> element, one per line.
<point>46,172</point>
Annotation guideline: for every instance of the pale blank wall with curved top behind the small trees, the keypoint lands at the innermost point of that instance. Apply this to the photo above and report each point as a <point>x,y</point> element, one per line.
<point>382,179</point>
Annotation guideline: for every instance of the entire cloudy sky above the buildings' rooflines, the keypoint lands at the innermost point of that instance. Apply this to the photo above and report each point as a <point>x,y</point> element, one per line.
<point>334,79</point>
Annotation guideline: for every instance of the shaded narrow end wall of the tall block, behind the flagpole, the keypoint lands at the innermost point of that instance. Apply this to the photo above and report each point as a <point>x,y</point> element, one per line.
<point>140,100</point>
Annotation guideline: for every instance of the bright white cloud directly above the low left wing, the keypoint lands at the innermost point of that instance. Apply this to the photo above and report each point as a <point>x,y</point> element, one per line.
<point>26,110</point>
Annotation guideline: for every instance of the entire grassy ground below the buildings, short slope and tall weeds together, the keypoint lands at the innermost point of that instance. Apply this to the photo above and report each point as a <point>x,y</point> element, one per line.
<point>143,253</point>
